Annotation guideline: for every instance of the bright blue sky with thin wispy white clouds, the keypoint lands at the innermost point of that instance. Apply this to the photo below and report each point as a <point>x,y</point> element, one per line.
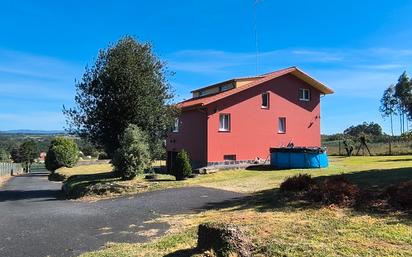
<point>355,47</point>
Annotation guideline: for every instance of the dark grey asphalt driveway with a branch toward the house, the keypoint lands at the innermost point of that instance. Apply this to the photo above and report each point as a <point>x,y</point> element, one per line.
<point>36,222</point>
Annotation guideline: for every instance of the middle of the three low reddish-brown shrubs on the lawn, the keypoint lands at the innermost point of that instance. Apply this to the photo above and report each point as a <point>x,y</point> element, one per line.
<point>336,190</point>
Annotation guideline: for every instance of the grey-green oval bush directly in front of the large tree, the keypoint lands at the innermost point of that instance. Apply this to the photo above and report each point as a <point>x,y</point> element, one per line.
<point>133,155</point>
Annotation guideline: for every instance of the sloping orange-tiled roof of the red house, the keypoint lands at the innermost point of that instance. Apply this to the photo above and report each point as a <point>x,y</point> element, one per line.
<point>202,101</point>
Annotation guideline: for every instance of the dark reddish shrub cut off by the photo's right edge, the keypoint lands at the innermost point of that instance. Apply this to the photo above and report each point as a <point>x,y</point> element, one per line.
<point>401,195</point>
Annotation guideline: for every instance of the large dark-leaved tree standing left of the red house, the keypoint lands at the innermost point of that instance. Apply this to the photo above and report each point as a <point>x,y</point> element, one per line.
<point>126,85</point>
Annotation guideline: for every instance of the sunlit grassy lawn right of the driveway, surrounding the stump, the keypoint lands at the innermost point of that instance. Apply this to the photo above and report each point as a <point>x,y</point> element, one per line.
<point>279,227</point>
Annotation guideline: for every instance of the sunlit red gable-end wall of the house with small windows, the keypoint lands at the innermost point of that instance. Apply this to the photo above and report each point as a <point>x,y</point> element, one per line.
<point>254,130</point>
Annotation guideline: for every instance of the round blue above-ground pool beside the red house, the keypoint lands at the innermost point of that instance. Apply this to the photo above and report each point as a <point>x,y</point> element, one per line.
<point>298,157</point>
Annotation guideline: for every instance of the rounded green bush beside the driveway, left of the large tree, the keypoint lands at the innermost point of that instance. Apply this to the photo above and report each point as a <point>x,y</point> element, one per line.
<point>63,152</point>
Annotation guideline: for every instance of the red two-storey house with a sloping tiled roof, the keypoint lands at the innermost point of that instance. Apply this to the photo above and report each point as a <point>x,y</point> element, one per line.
<point>238,120</point>
